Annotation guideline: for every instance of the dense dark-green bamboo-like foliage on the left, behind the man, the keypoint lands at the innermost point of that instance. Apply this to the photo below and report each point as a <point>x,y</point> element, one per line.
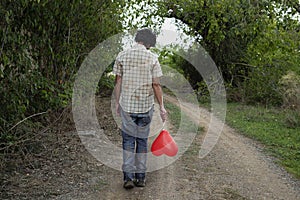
<point>42,46</point>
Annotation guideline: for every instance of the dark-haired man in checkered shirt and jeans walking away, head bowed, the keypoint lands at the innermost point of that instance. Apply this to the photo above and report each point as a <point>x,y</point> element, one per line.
<point>137,73</point>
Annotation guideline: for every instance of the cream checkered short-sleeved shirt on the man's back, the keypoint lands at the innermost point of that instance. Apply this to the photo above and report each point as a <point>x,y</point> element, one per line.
<point>137,66</point>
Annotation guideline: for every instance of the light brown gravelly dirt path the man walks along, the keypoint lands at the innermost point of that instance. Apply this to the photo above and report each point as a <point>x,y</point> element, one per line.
<point>235,169</point>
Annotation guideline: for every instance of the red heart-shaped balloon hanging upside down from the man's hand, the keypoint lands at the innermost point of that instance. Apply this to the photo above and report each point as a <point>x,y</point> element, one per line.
<point>164,144</point>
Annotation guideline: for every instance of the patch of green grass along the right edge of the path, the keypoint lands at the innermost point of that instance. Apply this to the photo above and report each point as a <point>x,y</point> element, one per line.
<point>269,127</point>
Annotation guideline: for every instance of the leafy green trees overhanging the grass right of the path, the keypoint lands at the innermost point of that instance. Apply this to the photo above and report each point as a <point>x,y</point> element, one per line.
<point>252,42</point>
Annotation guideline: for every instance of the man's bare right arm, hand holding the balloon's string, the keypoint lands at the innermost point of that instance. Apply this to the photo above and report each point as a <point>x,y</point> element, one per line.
<point>159,96</point>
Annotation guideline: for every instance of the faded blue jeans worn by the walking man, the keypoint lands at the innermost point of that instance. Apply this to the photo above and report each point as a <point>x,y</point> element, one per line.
<point>135,132</point>
